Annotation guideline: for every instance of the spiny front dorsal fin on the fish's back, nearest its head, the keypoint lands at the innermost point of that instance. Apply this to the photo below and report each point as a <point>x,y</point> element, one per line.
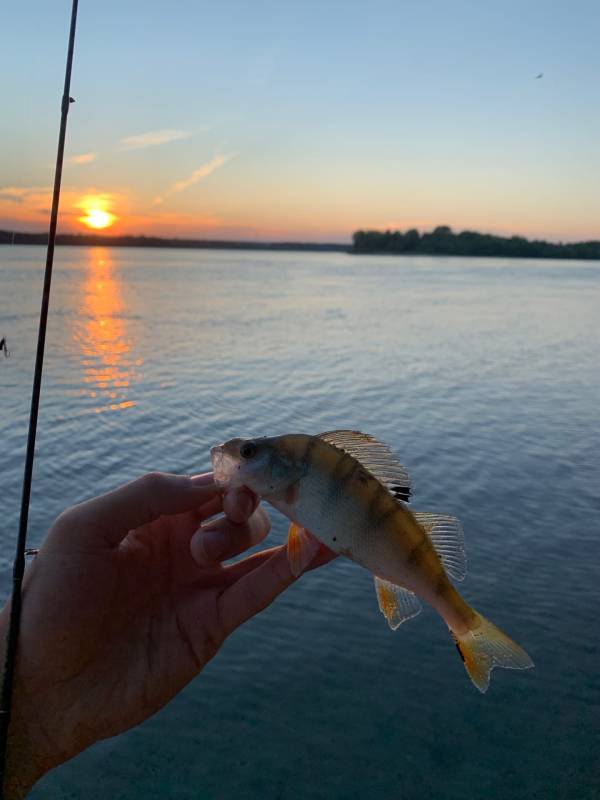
<point>374,456</point>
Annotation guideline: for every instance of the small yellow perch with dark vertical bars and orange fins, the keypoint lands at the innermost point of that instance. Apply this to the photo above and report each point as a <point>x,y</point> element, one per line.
<point>347,490</point>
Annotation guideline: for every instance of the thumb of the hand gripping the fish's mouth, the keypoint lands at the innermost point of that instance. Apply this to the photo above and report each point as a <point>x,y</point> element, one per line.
<point>107,519</point>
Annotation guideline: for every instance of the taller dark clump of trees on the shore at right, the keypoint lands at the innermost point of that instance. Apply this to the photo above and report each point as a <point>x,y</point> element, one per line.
<point>443,241</point>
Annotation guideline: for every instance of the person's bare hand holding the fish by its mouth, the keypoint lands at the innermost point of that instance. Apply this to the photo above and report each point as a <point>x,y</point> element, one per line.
<point>125,603</point>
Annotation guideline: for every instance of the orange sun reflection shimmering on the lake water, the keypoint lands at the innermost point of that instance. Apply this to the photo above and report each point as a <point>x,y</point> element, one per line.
<point>104,337</point>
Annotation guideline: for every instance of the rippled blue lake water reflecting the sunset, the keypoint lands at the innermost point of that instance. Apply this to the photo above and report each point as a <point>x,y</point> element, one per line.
<point>482,374</point>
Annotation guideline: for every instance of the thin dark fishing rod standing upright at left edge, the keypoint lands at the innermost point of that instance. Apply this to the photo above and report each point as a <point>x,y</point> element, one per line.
<point>12,637</point>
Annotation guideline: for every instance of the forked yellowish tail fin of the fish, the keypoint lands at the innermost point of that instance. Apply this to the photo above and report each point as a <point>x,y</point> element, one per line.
<point>484,647</point>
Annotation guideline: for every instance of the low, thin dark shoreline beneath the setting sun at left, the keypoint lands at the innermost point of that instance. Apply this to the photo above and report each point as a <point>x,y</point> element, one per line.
<point>102,240</point>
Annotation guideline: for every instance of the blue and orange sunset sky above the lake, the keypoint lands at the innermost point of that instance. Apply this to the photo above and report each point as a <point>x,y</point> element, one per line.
<point>305,120</point>
